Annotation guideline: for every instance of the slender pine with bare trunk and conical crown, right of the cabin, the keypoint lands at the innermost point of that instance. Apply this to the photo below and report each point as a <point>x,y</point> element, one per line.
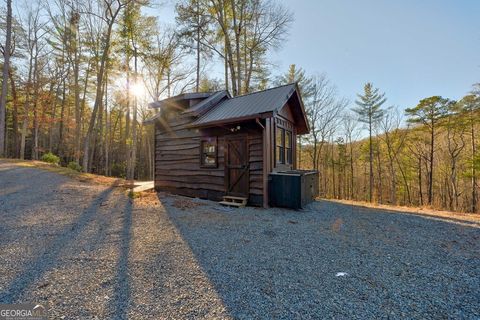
<point>370,112</point>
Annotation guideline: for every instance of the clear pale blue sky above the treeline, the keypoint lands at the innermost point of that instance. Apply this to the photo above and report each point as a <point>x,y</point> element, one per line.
<point>410,49</point>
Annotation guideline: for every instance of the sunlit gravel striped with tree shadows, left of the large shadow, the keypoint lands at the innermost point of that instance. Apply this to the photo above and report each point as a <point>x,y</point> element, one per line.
<point>91,253</point>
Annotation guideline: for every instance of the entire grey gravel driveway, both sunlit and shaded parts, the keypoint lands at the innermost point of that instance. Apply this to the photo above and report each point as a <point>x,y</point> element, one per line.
<point>91,252</point>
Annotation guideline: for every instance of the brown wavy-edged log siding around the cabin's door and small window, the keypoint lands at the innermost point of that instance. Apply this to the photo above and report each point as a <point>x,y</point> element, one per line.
<point>178,167</point>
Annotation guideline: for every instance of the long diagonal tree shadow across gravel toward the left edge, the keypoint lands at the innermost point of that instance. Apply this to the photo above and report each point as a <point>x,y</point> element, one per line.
<point>49,258</point>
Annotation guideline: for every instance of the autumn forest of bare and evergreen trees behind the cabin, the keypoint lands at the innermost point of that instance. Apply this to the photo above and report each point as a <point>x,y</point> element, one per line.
<point>77,77</point>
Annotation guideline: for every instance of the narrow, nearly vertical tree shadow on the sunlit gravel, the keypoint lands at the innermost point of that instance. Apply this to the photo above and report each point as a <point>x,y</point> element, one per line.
<point>122,289</point>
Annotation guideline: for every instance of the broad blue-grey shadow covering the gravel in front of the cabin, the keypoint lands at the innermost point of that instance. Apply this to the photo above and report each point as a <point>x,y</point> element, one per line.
<point>282,264</point>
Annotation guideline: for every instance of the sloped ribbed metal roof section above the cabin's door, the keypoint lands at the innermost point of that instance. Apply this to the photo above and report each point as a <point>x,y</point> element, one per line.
<point>248,106</point>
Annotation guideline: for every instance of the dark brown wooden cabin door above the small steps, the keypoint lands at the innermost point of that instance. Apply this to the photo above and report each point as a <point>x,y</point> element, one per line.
<point>236,166</point>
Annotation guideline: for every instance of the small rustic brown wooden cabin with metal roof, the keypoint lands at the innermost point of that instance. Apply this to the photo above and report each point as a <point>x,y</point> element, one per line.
<point>209,145</point>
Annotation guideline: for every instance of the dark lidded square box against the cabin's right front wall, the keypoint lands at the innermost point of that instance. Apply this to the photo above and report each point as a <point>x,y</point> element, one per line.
<point>293,189</point>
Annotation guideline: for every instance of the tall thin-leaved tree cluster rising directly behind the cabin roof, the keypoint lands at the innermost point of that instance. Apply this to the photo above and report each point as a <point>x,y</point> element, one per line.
<point>241,33</point>
